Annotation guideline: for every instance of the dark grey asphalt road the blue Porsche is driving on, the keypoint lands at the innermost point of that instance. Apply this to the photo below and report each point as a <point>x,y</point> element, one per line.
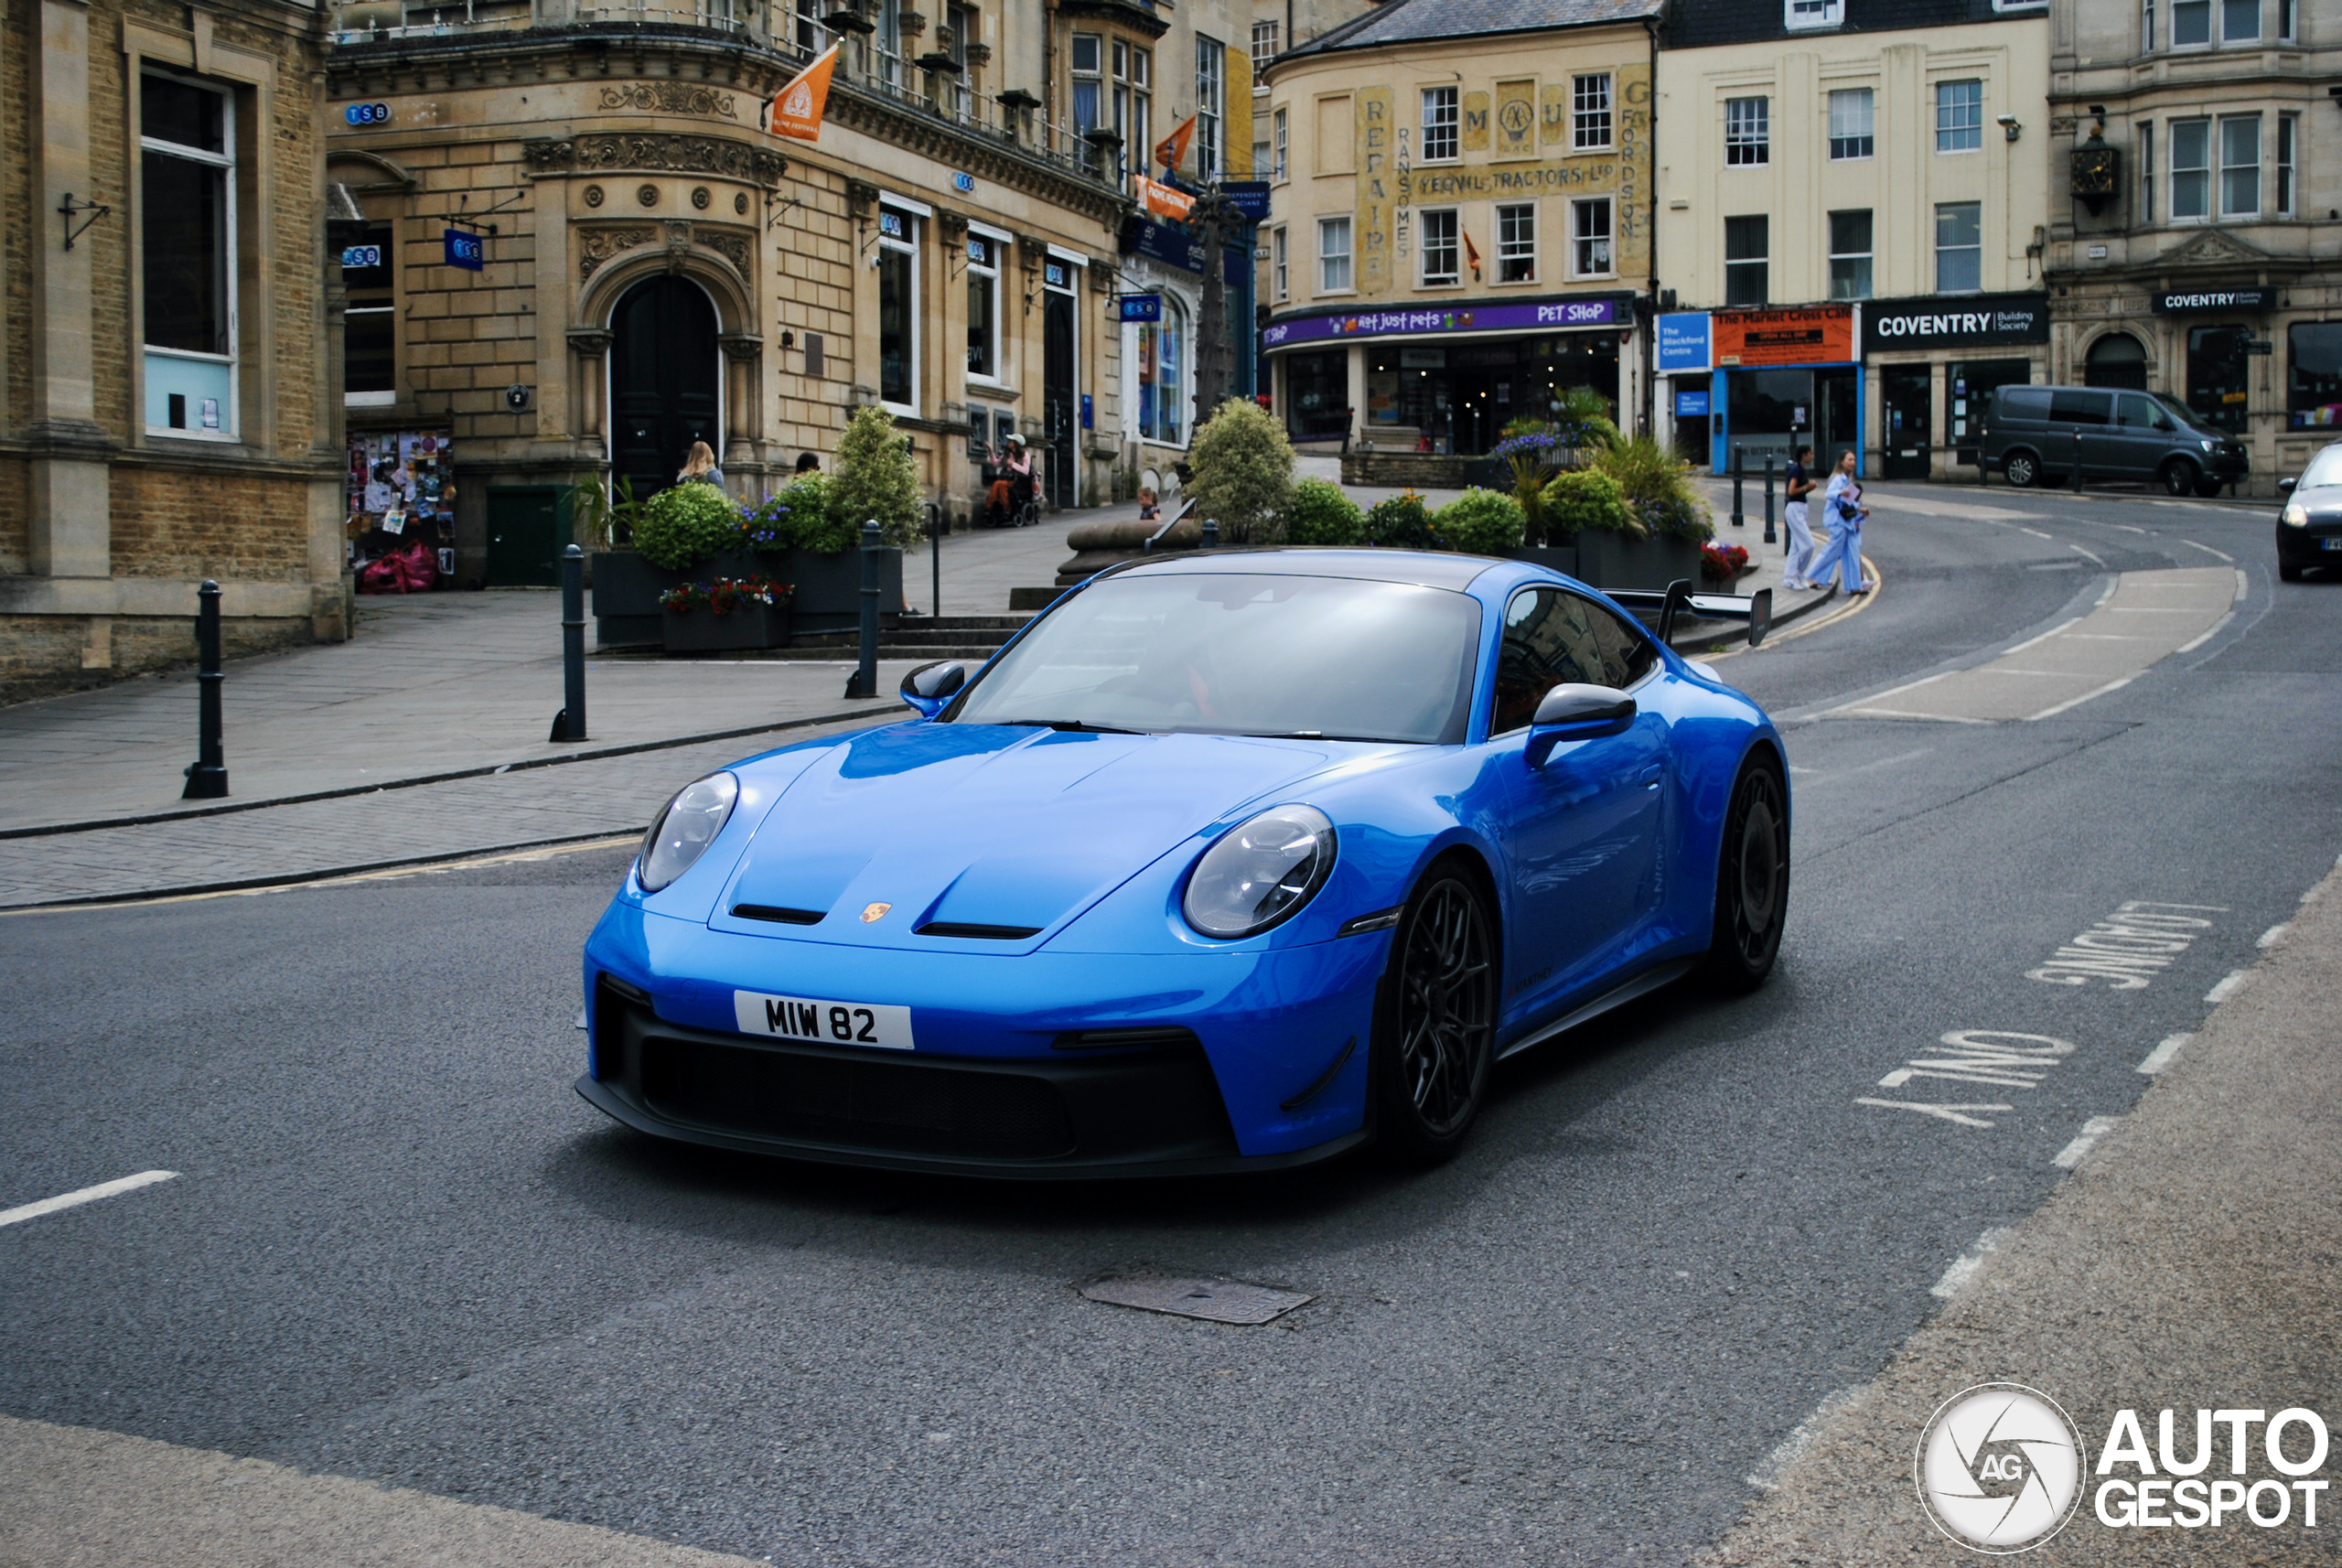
<point>404,1251</point>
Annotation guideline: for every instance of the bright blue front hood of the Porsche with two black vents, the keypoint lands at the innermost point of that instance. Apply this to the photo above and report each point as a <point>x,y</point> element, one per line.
<point>992,827</point>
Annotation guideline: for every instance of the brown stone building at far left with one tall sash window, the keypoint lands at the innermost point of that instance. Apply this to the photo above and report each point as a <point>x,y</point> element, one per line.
<point>165,411</point>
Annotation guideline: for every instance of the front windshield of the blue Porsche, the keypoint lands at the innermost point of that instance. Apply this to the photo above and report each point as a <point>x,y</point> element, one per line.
<point>1242,654</point>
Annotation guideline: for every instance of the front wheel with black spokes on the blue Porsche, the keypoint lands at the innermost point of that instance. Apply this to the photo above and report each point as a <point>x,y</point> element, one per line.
<point>1439,1022</point>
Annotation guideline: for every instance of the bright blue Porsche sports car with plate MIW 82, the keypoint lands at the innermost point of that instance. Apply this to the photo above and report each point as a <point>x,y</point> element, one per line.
<point>1226,862</point>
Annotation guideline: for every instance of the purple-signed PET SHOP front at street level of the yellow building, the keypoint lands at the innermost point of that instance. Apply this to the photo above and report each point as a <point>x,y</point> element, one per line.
<point>1446,383</point>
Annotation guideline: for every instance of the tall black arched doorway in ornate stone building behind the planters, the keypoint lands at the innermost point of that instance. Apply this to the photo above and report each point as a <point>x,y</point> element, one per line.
<point>664,378</point>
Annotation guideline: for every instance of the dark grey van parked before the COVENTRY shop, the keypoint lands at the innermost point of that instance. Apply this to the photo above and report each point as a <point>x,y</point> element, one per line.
<point>2036,434</point>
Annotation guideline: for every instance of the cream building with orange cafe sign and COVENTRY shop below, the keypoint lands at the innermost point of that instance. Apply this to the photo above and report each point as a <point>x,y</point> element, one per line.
<point>1851,202</point>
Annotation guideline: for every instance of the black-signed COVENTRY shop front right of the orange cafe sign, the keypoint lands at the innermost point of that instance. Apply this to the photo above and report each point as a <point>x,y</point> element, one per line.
<point>1933,364</point>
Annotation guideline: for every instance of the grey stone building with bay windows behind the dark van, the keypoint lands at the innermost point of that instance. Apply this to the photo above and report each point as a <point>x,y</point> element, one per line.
<point>2196,193</point>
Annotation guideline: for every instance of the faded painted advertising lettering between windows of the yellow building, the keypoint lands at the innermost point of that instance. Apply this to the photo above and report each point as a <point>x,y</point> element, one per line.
<point>1509,149</point>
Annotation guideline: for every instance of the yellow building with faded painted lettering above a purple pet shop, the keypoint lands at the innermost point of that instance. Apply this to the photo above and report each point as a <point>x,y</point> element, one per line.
<point>1463,223</point>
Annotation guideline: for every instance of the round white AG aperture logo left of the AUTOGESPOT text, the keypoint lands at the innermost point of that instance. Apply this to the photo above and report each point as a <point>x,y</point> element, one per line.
<point>1999,1469</point>
